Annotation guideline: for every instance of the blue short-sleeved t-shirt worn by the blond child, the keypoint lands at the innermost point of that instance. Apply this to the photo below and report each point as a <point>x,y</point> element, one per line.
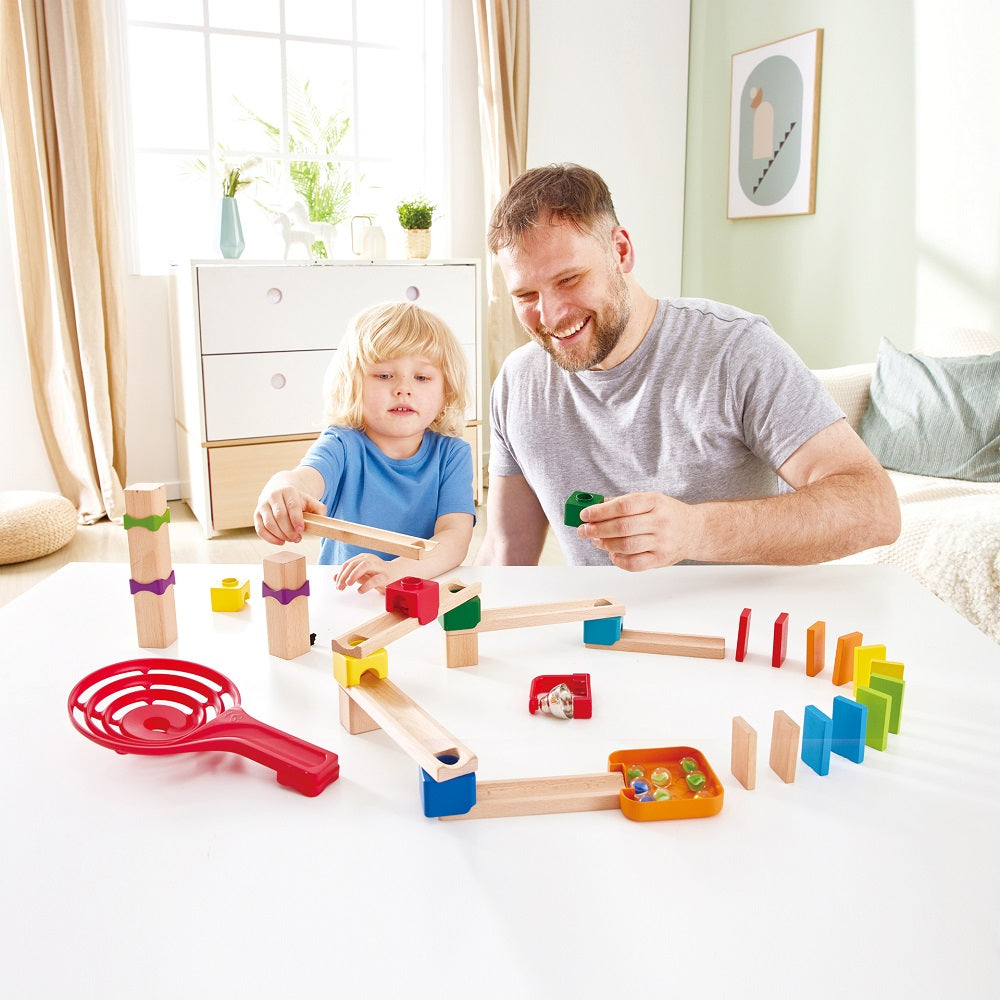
<point>407,495</point>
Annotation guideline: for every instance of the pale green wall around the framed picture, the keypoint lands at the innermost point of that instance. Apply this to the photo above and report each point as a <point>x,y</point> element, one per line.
<point>904,241</point>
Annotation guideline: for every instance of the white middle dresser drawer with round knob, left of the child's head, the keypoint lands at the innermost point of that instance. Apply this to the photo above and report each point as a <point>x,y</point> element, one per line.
<point>264,395</point>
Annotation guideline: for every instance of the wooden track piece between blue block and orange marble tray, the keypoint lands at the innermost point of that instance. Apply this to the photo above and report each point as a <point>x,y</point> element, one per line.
<point>541,796</point>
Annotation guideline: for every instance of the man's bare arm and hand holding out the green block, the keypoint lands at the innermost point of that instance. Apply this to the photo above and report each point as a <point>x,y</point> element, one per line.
<point>843,502</point>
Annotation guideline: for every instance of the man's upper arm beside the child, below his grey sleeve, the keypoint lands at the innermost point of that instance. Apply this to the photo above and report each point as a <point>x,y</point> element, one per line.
<point>515,524</point>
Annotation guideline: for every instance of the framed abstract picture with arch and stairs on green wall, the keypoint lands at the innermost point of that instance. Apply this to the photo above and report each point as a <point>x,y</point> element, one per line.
<point>774,128</point>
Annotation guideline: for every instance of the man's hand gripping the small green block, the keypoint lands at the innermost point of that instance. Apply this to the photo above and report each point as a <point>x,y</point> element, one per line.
<point>642,530</point>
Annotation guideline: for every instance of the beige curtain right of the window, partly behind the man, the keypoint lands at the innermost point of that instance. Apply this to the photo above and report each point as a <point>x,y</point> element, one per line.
<point>502,36</point>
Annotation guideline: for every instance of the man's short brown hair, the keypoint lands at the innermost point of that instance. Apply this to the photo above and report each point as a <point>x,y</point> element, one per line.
<point>570,192</point>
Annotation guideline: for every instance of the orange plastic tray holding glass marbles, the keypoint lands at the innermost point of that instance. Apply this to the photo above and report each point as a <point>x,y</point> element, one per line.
<point>684,803</point>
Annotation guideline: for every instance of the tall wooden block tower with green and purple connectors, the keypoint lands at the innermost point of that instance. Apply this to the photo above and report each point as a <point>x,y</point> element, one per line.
<point>150,562</point>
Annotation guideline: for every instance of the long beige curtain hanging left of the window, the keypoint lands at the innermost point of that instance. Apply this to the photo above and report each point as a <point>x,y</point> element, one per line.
<point>55,110</point>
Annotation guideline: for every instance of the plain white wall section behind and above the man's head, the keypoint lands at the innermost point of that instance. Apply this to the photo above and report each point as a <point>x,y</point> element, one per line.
<point>607,91</point>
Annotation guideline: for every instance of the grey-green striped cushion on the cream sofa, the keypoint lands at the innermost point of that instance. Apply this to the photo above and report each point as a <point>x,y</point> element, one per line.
<point>935,416</point>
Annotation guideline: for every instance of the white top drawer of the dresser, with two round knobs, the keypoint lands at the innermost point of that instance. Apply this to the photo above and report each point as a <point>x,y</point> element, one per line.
<point>308,307</point>
